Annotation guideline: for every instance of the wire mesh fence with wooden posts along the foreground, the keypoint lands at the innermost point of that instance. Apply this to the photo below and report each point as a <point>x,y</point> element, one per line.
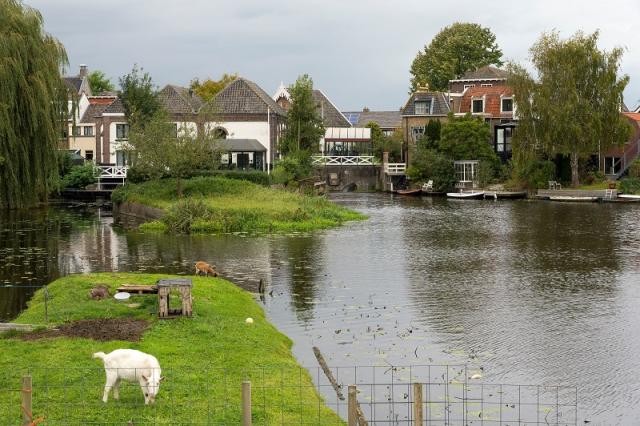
<point>386,395</point>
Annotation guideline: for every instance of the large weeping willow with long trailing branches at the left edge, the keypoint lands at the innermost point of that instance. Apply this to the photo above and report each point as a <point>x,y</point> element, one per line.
<point>33,105</point>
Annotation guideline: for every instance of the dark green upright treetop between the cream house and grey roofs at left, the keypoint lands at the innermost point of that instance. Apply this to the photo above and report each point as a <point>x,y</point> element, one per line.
<point>139,97</point>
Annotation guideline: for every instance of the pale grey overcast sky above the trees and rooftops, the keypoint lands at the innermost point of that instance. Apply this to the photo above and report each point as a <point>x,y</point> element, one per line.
<point>358,52</point>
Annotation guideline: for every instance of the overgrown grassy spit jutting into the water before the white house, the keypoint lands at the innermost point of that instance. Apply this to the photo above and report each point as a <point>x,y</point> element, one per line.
<point>218,205</point>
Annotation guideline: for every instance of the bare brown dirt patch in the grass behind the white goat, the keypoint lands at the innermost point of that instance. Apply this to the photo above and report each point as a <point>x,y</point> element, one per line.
<point>97,329</point>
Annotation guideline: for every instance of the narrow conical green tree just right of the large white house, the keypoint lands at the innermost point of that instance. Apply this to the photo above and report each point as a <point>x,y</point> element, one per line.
<point>304,125</point>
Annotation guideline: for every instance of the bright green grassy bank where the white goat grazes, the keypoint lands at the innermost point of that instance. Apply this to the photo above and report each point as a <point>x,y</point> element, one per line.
<point>204,359</point>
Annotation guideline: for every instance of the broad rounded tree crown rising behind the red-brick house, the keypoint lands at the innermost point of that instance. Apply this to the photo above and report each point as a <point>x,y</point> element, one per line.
<point>456,49</point>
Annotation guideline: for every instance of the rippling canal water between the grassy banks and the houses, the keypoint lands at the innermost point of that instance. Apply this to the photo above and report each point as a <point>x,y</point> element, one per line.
<point>525,292</point>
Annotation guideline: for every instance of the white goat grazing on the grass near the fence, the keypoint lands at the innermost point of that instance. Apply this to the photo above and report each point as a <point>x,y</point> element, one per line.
<point>131,365</point>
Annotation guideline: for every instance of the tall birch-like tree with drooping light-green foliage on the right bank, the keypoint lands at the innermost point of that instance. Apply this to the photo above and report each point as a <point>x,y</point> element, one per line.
<point>573,107</point>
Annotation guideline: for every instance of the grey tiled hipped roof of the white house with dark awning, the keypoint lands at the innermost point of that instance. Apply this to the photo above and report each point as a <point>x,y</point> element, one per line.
<point>242,96</point>
